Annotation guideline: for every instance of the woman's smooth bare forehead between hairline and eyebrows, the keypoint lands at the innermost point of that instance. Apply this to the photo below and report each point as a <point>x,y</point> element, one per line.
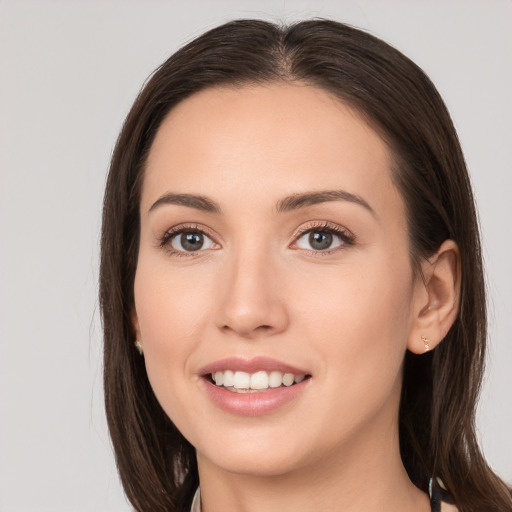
<point>263,141</point>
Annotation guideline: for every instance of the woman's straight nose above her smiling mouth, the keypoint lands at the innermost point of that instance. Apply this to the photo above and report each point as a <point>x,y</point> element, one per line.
<point>252,303</point>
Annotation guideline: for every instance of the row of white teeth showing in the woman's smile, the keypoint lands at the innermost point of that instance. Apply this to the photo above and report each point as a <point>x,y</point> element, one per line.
<point>243,381</point>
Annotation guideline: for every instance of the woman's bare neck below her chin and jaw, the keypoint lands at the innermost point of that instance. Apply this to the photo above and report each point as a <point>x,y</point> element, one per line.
<point>365,474</point>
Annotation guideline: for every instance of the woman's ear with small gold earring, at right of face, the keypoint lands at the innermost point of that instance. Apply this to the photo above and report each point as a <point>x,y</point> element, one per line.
<point>436,301</point>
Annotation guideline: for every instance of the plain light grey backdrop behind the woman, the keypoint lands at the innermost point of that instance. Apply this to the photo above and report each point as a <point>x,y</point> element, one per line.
<point>69,71</point>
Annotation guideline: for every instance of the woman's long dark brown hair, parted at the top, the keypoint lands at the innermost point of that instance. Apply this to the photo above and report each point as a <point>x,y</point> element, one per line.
<point>437,431</point>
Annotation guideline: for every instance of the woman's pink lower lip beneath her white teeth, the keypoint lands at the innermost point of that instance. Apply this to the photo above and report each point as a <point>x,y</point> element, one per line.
<point>254,404</point>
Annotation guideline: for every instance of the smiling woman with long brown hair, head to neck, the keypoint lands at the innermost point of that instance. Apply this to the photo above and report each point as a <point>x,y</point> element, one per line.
<point>291,282</point>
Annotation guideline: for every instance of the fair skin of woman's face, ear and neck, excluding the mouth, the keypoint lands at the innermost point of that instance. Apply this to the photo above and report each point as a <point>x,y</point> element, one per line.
<point>257,287</point>
